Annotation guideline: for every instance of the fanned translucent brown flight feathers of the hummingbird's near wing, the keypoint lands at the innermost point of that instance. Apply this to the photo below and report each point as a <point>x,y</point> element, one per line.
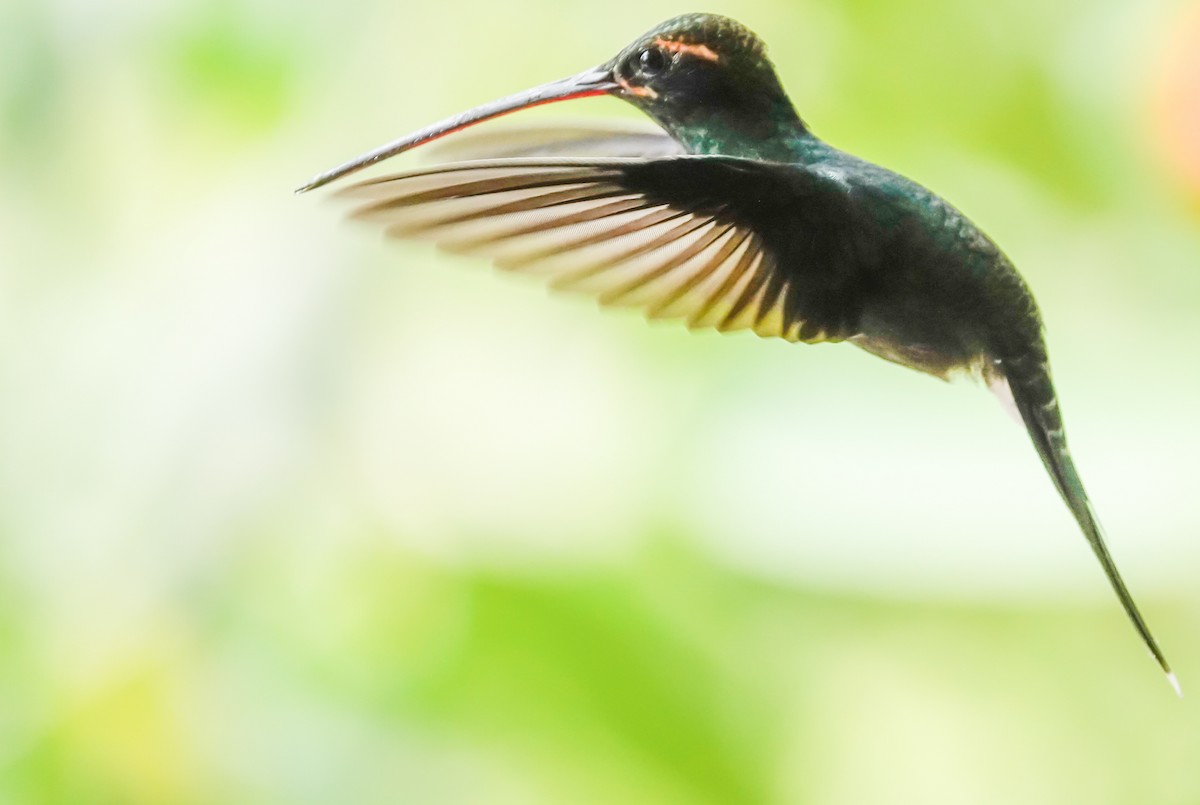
<point>587,227</point>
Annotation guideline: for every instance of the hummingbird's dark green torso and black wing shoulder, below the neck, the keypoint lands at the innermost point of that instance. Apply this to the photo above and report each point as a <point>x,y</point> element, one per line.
<point>863,255</point>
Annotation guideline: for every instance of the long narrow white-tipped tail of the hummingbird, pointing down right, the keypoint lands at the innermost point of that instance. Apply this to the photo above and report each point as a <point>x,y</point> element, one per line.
<point>1039,406</point>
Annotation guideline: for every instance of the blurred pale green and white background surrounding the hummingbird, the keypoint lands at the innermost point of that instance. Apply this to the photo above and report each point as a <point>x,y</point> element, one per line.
<point>289,515</point>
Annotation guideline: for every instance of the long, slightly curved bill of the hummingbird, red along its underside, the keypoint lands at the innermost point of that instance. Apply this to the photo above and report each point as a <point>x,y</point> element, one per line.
<point>597,81</point>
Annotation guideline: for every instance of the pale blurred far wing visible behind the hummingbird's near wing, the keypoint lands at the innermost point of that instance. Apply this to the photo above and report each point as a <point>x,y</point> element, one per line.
<point>571,141</point>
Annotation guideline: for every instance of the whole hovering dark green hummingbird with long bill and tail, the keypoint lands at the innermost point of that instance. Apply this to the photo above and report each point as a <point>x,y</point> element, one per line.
<point>733,215</point>
